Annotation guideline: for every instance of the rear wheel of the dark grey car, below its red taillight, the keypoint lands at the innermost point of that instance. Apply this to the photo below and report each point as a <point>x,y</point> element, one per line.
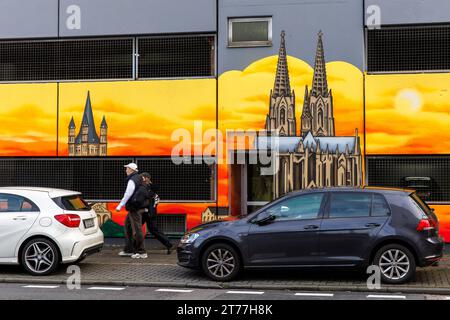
<point>396,263</point>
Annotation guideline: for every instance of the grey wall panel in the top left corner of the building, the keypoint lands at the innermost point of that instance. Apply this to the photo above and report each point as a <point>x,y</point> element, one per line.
<point>28,19</point>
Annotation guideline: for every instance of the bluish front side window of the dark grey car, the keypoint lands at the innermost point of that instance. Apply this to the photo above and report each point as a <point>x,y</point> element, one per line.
<point>298,208</point>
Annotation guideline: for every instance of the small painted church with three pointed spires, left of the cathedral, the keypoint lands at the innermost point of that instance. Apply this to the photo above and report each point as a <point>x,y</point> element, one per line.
<point>87,142</point>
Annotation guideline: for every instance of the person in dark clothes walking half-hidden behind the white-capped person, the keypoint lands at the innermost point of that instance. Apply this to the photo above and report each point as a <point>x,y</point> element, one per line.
<point>149,217</point>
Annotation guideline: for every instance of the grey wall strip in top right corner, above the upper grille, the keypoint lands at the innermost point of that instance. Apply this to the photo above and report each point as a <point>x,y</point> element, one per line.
<point>411,11</point>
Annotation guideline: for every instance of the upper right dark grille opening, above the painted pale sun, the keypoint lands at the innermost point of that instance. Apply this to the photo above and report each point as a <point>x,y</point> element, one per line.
<point>408,48</point>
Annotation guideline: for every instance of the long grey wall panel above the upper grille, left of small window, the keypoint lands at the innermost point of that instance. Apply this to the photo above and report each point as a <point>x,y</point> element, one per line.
<point>121,17</point>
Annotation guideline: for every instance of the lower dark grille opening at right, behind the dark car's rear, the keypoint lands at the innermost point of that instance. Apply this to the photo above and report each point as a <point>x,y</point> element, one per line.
<point>428,175</point>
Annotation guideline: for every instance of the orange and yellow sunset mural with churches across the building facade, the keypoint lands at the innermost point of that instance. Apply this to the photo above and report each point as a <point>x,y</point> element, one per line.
<point>405,114</point>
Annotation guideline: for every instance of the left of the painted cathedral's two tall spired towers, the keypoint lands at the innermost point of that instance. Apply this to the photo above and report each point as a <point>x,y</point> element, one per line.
<point>281,115</point>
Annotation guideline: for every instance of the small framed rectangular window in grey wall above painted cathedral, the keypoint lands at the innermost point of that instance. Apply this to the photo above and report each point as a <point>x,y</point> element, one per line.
<point>250,32</point>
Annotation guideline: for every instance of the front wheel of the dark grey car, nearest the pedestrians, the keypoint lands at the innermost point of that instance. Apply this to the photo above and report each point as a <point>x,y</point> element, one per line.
<point>221,262</point>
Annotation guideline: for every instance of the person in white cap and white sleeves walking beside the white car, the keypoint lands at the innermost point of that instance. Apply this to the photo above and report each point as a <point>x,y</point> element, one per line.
<point>134,237</point>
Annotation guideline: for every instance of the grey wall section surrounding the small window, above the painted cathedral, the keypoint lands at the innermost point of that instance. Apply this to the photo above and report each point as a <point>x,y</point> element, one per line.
<point>341,21</point>
